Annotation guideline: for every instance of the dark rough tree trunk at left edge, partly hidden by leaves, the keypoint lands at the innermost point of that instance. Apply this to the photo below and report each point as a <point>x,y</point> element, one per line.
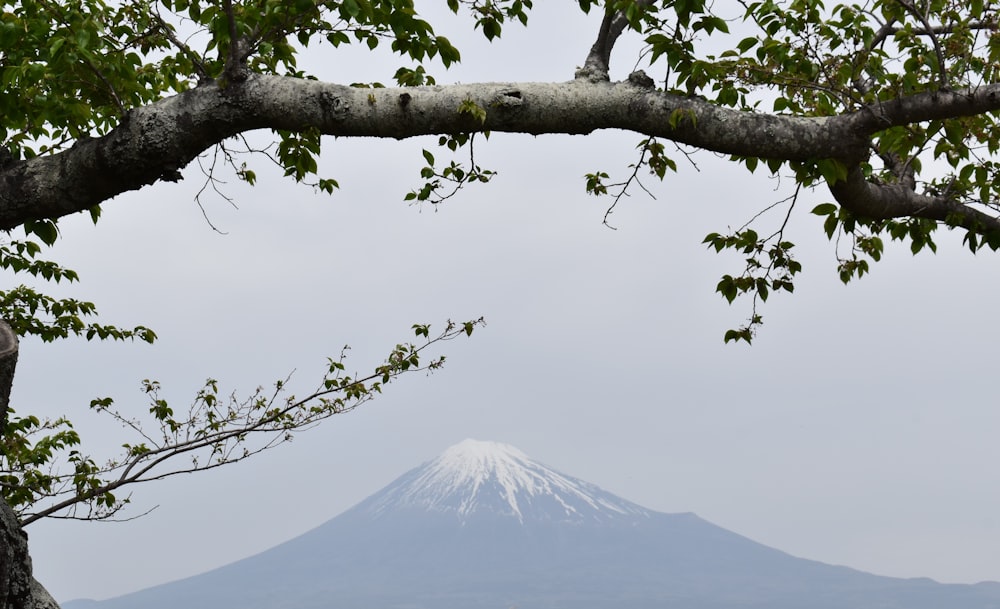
<point>18,589</point>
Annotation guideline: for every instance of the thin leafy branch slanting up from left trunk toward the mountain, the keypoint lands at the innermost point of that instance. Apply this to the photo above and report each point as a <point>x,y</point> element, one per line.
<point>215,433</point>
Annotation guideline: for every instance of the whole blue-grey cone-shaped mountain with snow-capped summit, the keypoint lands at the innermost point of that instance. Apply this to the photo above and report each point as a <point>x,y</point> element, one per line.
<point>484,526</point>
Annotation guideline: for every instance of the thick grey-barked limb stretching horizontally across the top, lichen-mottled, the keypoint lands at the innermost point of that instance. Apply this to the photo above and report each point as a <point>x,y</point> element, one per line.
<point>154,142</point>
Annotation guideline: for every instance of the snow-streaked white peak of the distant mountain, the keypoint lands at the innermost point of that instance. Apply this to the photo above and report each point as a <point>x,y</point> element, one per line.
<point>476,477</point>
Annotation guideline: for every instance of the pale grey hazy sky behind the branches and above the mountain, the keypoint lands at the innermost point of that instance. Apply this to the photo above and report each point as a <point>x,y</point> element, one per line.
<point>860,428</point>
